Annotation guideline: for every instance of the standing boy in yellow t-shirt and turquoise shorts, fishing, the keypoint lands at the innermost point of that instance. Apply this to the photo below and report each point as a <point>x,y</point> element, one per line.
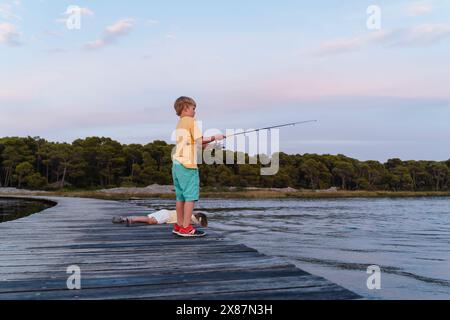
<point>185,170</point>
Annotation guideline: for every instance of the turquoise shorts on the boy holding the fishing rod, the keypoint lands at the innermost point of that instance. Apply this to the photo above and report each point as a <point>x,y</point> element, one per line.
<point>186,182</point>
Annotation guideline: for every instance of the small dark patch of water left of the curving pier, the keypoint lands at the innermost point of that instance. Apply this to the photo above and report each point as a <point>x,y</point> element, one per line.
<point>13,209</point>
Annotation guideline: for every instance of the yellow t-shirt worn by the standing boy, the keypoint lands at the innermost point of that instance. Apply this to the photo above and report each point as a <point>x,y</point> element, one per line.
<point>186,134</point>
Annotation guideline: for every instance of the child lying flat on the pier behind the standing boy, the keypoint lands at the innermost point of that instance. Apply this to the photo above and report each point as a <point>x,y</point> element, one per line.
<point>162,217</point>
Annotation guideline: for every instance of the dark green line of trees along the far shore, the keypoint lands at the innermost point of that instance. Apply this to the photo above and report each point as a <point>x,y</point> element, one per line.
<point>95,162</point>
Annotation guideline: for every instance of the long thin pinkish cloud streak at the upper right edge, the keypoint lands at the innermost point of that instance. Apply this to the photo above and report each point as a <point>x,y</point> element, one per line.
<point>421,35</point>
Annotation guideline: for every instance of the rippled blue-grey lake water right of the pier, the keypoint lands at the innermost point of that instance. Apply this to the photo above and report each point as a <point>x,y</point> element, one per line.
<point>409,239</point>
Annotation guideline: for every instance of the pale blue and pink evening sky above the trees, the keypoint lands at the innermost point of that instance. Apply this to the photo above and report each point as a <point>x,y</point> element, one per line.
<point>378,90</point>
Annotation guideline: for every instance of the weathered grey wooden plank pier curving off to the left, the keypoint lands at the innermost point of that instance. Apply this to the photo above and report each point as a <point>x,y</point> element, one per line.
<point>140,262</point>
